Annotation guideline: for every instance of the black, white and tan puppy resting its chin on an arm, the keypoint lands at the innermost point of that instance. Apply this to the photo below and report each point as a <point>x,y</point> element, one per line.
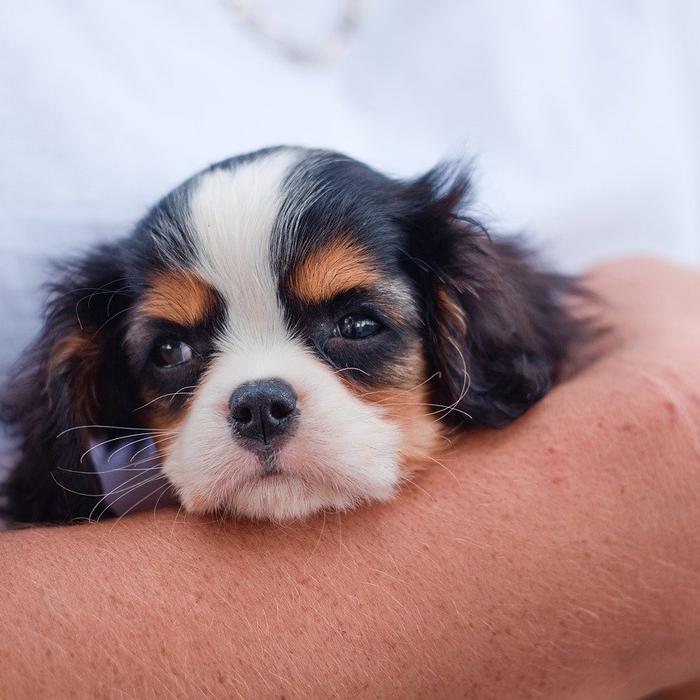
<point>286,332</point>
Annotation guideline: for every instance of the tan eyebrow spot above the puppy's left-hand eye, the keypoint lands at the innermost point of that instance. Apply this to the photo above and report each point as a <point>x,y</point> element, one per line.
<point>178,296</point>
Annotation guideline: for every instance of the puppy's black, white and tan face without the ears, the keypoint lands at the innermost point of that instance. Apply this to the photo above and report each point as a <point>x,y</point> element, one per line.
<point>284,349</point>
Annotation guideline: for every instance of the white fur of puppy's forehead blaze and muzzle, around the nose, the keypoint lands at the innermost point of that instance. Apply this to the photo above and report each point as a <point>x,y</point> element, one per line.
<point>344,450</point>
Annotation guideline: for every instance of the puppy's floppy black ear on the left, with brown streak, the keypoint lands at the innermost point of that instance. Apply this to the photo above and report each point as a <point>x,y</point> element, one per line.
<point>66,379</point>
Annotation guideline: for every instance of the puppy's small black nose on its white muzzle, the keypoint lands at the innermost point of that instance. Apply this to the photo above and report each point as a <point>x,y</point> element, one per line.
<point>263,411</point>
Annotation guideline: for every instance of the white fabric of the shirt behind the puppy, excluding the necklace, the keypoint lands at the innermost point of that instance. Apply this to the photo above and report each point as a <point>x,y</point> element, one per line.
<point>583,114</point>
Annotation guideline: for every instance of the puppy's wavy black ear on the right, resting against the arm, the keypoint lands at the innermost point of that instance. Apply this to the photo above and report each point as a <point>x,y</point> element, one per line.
<point>497,328</point>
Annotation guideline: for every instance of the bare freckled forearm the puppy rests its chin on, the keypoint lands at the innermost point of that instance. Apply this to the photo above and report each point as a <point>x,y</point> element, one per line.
<point>556,558</point>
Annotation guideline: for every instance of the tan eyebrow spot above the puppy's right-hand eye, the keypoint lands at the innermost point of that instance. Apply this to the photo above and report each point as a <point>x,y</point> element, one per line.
<point>337,267</point>
